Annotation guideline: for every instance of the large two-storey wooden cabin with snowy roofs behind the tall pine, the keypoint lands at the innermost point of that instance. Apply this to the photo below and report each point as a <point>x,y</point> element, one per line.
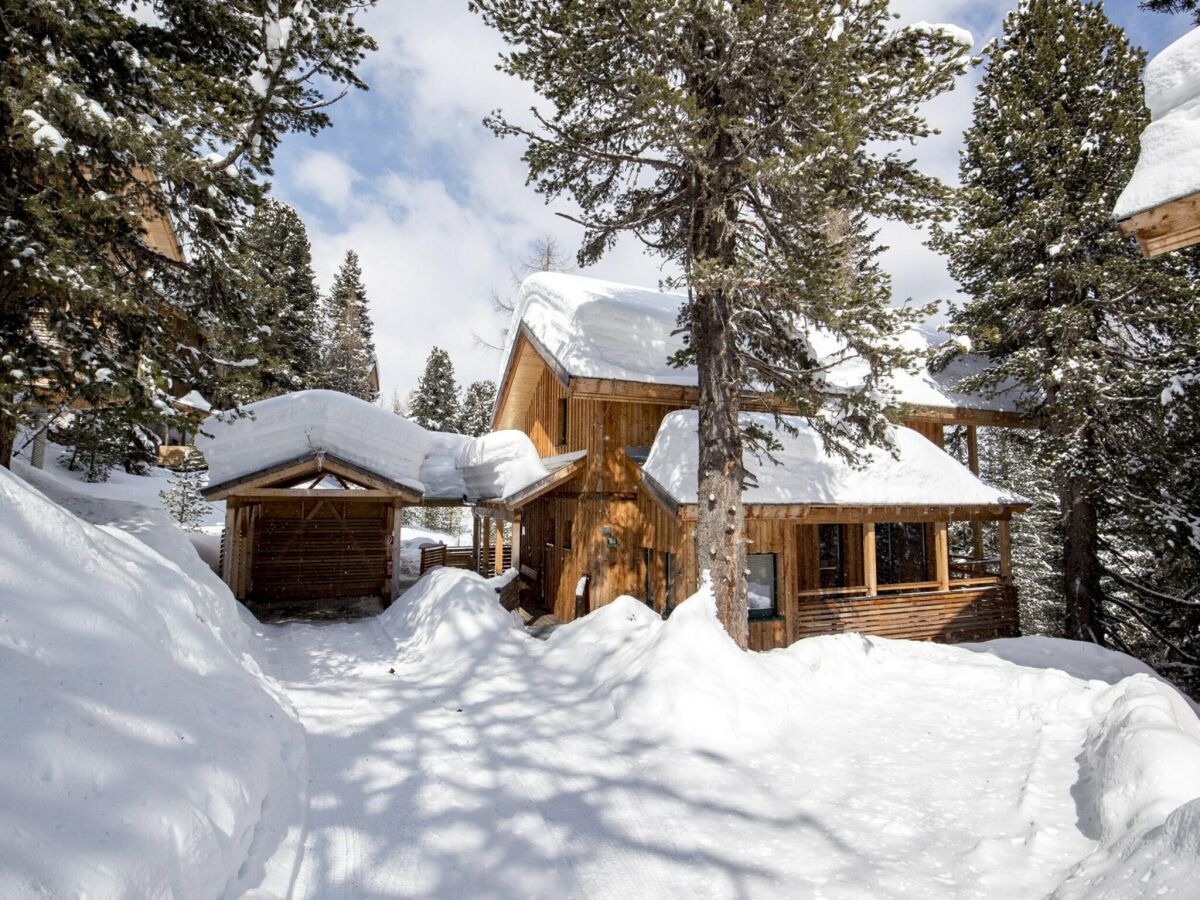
<point>915,547</point>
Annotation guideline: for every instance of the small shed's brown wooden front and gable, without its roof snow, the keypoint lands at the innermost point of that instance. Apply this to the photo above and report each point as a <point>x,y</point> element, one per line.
<point>314,527</point>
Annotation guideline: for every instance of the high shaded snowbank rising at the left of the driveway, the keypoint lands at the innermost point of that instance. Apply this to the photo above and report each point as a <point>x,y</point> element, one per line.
<point>142,754</point>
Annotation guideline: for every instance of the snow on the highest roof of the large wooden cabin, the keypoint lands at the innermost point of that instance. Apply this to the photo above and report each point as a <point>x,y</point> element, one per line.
<point>602,329</point>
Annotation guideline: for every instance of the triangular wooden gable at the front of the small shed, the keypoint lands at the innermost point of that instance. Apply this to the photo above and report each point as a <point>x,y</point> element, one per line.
<point>280,481</point>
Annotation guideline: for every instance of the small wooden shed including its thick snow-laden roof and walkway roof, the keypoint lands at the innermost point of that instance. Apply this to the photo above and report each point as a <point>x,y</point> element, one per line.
<point>315,483</point>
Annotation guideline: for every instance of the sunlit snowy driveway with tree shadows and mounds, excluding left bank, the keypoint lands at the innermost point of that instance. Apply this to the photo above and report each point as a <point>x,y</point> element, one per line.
<point>454,757</point>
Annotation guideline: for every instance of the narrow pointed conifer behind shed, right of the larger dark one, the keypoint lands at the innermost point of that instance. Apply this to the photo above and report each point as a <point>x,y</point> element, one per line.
<point>350,356</point>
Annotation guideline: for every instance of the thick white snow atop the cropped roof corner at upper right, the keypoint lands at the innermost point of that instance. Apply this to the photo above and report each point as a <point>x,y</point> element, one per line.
<point>1169,164</point>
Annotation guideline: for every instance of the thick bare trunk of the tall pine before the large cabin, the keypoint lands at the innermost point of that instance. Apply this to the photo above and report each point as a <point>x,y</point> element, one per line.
<point>721,526</point>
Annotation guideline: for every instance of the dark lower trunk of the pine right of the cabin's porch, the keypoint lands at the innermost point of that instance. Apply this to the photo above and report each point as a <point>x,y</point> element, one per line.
<point>1081,561</point>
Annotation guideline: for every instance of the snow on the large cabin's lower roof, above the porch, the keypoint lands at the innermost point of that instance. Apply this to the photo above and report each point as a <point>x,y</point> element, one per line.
<point>922,475</point>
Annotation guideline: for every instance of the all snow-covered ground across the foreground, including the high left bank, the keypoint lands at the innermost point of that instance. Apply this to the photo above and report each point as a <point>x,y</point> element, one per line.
<point>448,754</point>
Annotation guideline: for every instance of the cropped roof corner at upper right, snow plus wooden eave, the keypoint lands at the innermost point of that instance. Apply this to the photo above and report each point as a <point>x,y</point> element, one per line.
<point>1161,206</point>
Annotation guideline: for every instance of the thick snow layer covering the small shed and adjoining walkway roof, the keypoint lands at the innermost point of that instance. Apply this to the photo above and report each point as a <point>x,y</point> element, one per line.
<point>436,465</point>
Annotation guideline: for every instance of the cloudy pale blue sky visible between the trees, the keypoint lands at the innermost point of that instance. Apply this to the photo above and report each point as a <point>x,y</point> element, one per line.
<point>437,207</point>
